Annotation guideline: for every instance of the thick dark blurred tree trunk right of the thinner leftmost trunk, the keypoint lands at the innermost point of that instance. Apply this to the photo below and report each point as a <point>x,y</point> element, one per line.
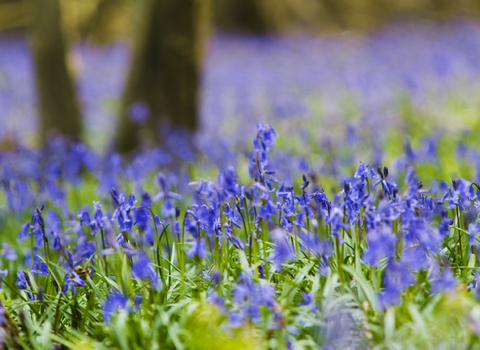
<point>165,69</point>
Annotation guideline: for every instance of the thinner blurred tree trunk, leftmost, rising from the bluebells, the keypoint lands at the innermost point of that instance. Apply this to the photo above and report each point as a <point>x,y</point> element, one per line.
<point>58,106</point>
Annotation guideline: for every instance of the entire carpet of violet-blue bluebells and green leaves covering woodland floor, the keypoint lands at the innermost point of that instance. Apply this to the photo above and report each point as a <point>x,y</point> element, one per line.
<point>354,226</point>
